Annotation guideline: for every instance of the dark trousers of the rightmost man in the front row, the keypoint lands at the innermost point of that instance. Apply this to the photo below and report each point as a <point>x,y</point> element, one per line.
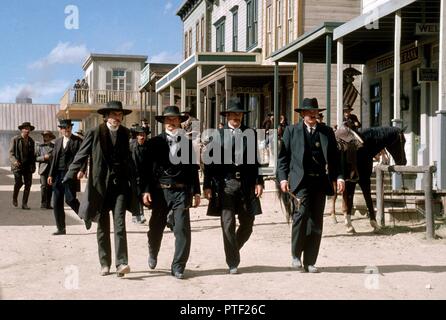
<point>306,232</point>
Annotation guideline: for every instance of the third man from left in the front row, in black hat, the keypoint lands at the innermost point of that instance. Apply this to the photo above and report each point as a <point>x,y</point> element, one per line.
<point>232,182</point>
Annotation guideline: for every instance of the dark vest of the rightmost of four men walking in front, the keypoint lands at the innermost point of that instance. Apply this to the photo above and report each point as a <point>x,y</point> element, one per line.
<point>314,161</point>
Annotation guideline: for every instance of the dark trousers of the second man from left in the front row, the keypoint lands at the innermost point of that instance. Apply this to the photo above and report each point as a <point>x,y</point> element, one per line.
<point>175,202</point>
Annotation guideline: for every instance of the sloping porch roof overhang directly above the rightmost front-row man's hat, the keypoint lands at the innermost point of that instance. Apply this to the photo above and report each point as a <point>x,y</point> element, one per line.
<point>311,44</point>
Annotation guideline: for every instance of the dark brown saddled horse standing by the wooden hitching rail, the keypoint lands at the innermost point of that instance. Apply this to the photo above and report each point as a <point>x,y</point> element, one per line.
<point>358,166</point>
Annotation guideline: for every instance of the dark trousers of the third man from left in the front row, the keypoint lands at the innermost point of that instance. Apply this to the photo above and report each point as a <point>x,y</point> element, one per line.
<point>233,240</point>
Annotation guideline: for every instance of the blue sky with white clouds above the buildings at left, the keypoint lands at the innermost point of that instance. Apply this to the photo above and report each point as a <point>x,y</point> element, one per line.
<point>41,58</point>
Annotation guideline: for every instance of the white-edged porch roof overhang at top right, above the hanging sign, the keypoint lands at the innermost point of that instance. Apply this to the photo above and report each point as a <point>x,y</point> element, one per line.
<point>373,33</point>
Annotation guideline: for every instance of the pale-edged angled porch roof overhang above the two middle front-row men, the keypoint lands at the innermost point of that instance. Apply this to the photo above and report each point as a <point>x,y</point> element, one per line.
<point>209,61</point>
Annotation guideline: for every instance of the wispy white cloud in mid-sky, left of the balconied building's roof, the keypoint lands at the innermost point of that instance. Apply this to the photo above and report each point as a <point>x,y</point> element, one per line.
<point>63,53</point>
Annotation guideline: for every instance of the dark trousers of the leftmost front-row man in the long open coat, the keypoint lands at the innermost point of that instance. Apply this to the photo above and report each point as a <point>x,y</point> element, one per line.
<point>115,201</point>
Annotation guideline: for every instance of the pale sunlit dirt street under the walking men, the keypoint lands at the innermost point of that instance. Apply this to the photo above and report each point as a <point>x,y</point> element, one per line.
<point>398,263</point>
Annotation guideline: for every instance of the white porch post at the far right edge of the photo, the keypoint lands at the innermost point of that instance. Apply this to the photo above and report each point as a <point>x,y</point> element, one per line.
<point>441,113</point>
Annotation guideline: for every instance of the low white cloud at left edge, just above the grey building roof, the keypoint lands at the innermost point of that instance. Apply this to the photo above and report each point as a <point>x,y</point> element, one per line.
<point>38,91</point>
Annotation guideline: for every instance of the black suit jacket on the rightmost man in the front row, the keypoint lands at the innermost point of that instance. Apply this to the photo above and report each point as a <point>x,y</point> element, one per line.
<point>291,156</point>
